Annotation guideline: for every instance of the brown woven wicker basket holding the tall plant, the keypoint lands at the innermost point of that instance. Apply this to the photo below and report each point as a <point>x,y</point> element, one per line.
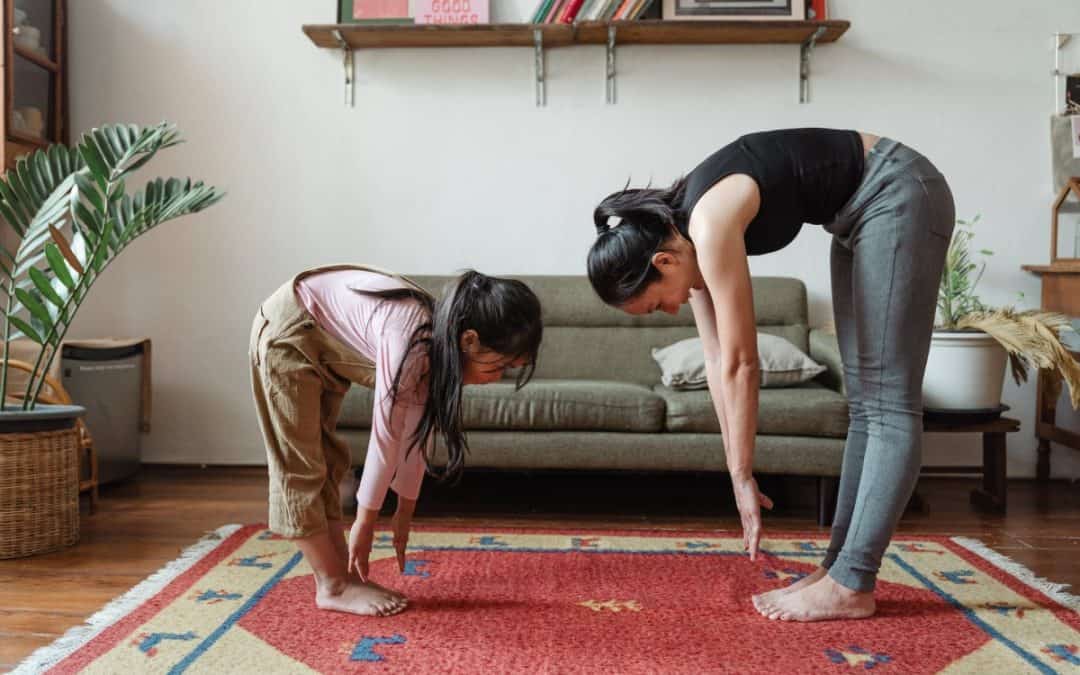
<point>39,492</point>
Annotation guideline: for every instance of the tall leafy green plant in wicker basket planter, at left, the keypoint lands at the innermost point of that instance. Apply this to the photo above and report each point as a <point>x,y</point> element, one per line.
<point>69,215</point>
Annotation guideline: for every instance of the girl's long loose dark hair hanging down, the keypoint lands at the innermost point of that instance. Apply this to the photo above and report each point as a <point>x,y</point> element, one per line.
<point>504,313</point>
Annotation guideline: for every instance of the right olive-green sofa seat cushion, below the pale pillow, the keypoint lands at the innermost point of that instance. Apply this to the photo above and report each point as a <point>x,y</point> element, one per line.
<point>808,410</point>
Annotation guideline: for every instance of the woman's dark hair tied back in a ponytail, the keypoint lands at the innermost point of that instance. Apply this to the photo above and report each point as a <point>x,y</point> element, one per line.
<point>620,262</point>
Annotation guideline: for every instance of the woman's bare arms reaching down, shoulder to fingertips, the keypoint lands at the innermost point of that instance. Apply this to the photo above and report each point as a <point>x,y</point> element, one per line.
<point>725,316</point>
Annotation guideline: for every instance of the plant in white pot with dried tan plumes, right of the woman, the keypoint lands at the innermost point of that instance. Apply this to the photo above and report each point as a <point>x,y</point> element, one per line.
<point>973,343</point>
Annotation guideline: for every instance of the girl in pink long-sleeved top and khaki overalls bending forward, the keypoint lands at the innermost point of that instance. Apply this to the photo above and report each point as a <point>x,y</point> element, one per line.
<point>333,327</point>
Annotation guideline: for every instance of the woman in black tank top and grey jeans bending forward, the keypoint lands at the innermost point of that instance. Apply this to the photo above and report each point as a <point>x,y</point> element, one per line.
<point>892,215</point>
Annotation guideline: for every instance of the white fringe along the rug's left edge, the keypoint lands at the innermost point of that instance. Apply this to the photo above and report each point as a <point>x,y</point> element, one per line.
<point>120,607</point>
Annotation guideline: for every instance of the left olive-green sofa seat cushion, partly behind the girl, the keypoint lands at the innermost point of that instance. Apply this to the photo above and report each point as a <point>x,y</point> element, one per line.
<point>544,406</point>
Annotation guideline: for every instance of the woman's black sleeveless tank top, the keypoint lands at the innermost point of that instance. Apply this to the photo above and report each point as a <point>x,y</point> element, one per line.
<point>805,175</point>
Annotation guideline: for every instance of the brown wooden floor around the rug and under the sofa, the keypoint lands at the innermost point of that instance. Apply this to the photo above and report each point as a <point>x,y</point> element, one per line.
<point>143,524</point>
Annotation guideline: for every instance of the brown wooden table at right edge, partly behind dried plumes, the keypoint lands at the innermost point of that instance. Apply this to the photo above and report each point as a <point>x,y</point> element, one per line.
<point>1061,293</point>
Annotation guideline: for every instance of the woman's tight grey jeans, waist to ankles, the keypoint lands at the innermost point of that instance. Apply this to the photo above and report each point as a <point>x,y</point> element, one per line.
<point>888,251</point>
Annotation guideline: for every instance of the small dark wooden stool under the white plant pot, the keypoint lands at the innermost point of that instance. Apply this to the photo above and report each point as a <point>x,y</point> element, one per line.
<point>993,496</point>
